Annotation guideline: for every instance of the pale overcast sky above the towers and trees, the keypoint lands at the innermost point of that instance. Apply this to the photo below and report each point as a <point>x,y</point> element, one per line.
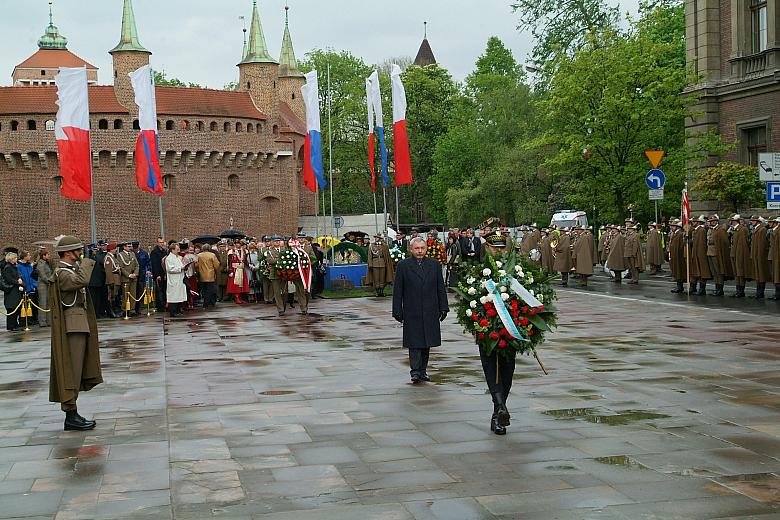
<point>200,41</point>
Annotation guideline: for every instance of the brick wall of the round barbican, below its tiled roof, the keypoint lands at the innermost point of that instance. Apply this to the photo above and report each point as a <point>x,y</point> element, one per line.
<point>212,176</point>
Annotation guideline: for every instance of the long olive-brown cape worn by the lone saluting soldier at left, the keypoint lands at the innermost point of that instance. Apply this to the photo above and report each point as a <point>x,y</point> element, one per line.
<point>72,311</point>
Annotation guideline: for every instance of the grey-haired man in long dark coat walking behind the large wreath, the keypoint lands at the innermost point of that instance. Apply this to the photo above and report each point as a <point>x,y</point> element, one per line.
<point>420,303</point>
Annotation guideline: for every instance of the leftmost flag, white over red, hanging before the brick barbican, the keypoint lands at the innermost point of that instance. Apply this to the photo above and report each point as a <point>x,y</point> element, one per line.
<point>72,133</point>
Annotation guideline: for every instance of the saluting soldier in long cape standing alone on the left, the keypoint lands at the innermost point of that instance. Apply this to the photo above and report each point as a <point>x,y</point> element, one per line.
<point>75,359</point>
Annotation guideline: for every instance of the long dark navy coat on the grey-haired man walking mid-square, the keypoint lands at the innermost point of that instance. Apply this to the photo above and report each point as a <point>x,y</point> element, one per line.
<point>418,298</point>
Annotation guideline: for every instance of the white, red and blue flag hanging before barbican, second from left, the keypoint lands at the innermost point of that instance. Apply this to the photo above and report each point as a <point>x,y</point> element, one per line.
<point>147,154</point>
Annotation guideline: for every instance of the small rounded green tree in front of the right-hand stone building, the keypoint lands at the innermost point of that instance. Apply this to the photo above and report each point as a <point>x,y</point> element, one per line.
<point>733,183</point>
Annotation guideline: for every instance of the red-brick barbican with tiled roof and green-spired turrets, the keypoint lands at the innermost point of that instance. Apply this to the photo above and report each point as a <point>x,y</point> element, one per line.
<point>226,156</point>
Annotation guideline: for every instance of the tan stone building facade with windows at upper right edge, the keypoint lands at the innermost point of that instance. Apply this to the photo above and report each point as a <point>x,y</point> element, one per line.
<point>734,45</point>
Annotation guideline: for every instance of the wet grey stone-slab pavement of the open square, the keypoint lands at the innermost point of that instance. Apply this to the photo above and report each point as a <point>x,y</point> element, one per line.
<point>651,410</point>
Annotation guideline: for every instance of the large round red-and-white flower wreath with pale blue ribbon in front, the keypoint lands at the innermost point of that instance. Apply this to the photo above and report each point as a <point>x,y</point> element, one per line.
<point>506,303</point>
